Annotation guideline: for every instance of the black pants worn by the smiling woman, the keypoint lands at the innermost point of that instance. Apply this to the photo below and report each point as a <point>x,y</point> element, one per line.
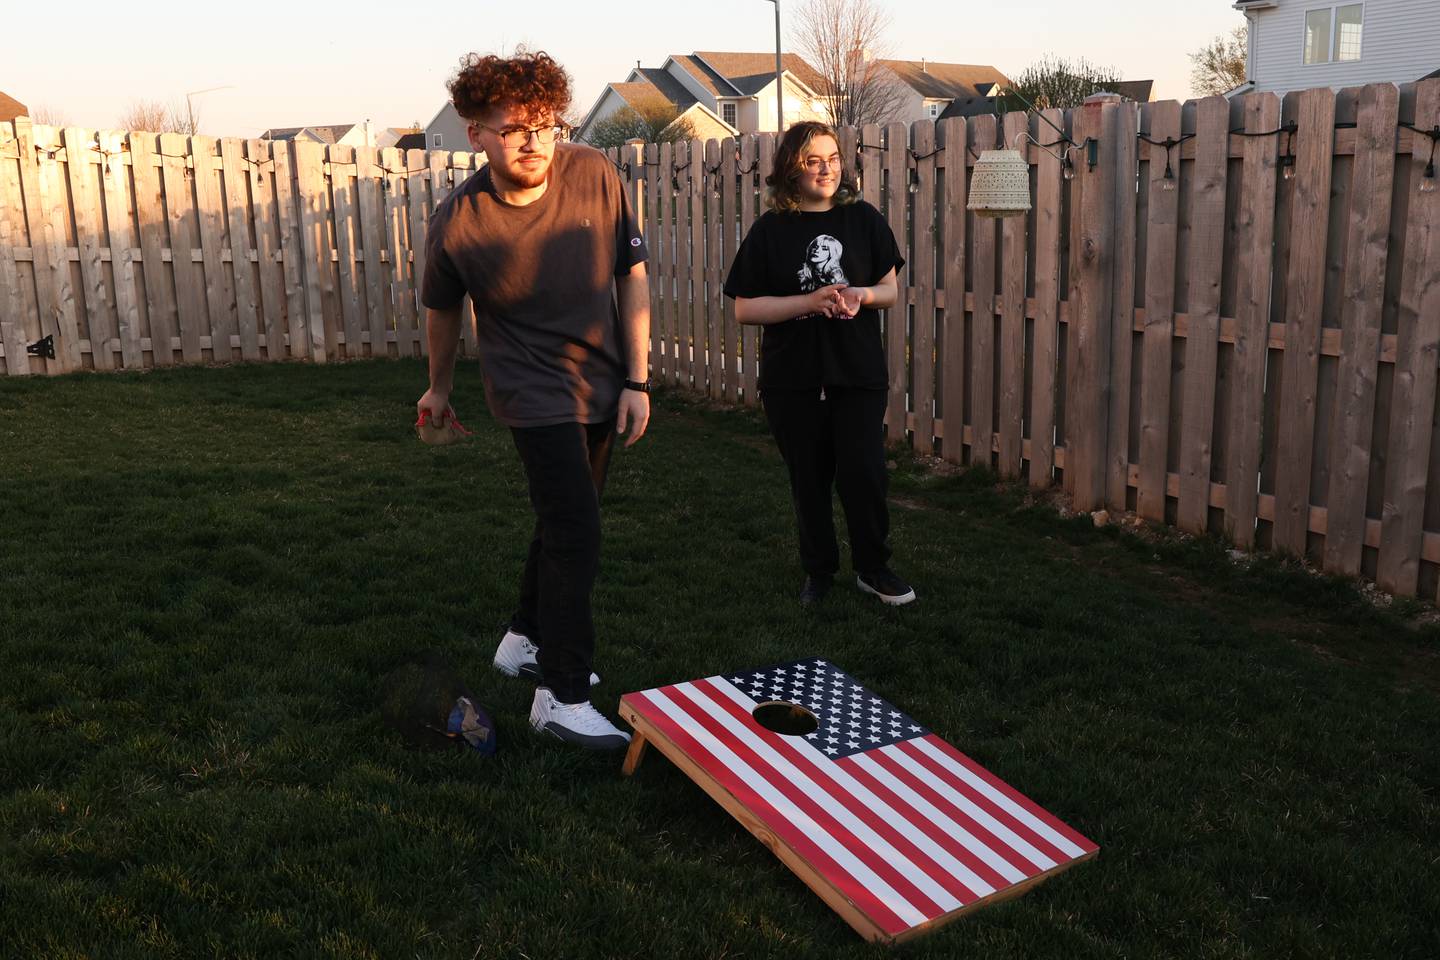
<point>837,443</point>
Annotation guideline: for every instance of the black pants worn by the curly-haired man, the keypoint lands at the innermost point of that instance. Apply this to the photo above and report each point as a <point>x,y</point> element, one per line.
<point>565,466</point>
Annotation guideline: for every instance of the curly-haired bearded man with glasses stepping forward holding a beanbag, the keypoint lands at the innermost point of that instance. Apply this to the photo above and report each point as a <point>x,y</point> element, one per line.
<point>545,243</point>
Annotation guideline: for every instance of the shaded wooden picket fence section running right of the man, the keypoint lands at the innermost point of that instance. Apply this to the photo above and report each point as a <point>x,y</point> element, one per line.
<point>1228,322</point>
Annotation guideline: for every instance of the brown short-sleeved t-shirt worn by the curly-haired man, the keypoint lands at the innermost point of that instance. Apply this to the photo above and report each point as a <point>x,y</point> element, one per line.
<point>542,281</point>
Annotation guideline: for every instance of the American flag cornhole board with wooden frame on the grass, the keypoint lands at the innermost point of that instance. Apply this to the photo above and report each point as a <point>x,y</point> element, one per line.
<point>891,825</point>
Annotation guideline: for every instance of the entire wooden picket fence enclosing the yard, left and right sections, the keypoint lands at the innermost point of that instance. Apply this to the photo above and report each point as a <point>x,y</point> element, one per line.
<point>1246,345</point>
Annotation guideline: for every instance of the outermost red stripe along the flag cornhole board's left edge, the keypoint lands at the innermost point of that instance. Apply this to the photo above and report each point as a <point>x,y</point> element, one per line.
<point>732,781</point>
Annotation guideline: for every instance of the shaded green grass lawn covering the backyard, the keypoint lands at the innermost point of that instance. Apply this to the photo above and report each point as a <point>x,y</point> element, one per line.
<point>205,575</point>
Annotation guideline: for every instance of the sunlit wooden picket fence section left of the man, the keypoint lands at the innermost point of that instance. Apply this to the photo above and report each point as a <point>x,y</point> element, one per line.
<point>133,250</point>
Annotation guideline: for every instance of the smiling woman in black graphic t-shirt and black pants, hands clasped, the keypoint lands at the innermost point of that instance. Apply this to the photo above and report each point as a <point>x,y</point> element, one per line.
<point>813,271</point>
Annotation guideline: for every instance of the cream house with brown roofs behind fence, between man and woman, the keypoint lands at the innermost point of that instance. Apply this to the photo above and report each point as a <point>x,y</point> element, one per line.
<point>721,93</point>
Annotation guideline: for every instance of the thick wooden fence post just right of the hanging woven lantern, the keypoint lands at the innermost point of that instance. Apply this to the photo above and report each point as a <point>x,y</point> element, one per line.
<point>1088,405</point>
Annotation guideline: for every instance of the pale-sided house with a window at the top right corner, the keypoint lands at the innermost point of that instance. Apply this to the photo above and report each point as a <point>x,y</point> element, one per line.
<point>1304,44</point>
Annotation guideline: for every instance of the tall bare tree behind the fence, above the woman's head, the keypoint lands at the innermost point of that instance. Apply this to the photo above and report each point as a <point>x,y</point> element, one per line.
<point>845,41</point>
